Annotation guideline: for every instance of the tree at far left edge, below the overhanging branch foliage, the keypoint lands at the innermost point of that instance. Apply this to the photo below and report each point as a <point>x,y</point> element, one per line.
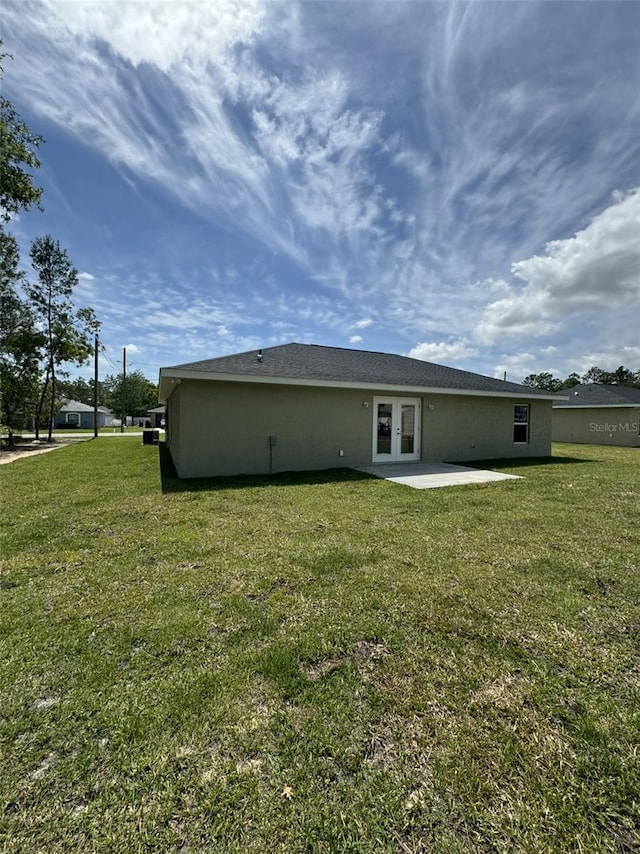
<point>20,343</point>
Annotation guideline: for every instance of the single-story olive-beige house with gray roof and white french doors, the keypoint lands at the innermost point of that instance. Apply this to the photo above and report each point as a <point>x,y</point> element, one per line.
<point>300,407</point>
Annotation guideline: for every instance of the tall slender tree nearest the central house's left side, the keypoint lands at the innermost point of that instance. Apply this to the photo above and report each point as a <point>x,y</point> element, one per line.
<point>68,332</point>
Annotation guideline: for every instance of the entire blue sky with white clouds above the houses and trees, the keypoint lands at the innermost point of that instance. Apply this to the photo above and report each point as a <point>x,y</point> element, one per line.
<point>457,182</point>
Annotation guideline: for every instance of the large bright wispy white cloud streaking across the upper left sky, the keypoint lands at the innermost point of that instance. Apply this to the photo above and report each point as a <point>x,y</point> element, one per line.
<point>293,169</point>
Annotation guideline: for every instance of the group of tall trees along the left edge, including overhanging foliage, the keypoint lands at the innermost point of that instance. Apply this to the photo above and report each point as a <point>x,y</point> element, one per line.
<point>41,331</point>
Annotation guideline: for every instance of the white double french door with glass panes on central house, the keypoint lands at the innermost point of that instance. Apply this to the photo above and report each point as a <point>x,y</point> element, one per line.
<point>396,429</point>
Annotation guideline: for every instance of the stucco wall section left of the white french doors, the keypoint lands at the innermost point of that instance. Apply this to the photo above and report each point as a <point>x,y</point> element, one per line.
<point>225,428</point>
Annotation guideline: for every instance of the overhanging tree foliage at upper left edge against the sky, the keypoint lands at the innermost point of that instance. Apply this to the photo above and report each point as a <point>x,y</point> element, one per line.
<point>17,157</point>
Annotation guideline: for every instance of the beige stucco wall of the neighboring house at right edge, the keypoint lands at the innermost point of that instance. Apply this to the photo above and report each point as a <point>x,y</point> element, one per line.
<point>598,426</point>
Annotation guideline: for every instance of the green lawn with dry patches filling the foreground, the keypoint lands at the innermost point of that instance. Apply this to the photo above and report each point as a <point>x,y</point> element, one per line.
<point>318,663</point>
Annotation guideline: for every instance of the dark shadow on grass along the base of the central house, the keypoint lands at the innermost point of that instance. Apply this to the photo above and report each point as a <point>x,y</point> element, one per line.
<point>172,483</point>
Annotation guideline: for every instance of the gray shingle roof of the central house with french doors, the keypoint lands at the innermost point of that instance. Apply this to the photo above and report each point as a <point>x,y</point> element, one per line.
<point>336,364</point>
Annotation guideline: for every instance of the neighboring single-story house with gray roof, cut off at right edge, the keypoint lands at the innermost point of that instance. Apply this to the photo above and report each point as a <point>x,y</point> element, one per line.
<point>597,414</point>
